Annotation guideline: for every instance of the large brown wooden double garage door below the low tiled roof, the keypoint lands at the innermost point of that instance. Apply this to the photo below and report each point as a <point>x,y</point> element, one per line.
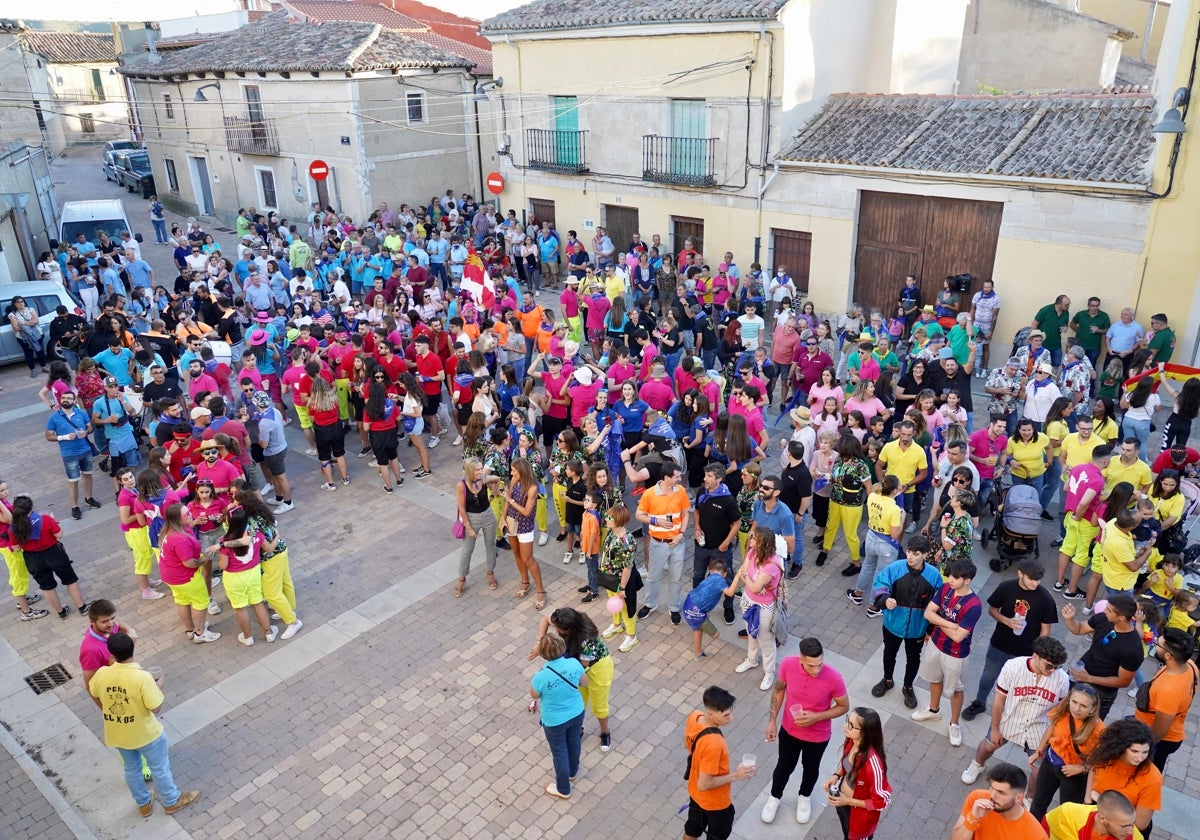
<point>931,238</point>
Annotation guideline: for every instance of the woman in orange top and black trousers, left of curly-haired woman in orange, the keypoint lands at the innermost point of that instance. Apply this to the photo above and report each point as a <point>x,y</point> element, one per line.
<point>1061,760</point>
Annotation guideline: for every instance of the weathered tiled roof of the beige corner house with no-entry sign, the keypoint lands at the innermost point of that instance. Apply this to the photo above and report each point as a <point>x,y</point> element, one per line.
<point>301,46</point>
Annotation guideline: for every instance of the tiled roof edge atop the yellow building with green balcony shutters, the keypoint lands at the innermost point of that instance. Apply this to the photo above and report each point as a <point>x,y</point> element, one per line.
<point>579,14</point>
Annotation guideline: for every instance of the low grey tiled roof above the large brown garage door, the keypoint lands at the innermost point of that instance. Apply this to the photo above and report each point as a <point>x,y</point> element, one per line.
<point>1096,136</point>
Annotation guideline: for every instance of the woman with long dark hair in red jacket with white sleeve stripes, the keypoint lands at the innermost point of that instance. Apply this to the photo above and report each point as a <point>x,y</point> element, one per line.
<point>860,789</point>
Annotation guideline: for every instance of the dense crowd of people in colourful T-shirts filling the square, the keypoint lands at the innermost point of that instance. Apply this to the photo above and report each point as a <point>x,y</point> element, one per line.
<point>641,406</point>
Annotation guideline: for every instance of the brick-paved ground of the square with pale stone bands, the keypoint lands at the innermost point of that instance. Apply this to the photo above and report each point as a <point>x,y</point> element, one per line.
<point>400,711</point>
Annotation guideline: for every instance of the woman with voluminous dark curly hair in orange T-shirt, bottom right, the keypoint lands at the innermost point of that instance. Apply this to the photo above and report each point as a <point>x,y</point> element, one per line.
<point>1124,761</point>
